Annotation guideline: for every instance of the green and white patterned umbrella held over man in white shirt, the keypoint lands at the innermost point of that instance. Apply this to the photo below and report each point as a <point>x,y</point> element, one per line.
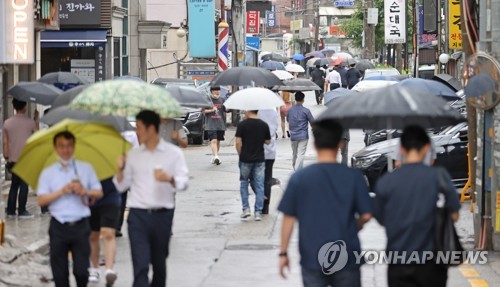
<point>126,98</point>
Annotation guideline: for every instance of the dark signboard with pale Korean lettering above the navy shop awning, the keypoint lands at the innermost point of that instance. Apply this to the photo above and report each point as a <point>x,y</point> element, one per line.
<point>80,13</point>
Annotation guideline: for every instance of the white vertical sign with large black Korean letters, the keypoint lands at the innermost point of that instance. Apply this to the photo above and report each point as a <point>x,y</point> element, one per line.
<point>395,21</point>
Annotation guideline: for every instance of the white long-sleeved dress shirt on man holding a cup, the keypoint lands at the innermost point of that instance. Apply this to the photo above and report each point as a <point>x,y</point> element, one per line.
<point>145,191</point>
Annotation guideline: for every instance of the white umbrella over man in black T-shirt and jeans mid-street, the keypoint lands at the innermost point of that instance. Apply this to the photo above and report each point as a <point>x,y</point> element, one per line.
<point>253,99</point>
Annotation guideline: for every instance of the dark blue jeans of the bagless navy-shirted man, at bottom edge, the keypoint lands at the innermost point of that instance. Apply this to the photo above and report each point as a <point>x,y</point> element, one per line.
<point>342,278</point>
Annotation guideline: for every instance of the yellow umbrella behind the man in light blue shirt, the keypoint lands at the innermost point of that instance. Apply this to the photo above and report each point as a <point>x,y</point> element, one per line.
<point>96,143</point>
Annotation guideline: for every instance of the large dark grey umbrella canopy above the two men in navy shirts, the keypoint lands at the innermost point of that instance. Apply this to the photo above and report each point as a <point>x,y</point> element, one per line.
<point>392,107</point>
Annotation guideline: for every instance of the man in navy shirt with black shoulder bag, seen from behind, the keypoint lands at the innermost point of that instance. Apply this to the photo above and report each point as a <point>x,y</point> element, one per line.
<point>406,206</point>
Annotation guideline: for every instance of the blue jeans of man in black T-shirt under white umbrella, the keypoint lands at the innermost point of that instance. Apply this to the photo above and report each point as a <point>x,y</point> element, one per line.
<point>254,171</point>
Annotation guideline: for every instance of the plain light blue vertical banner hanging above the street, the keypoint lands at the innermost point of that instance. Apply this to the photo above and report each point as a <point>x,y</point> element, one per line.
<point>201,28</point>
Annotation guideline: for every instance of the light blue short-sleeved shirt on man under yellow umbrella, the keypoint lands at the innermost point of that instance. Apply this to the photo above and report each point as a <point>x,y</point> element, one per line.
<point>69,207</point>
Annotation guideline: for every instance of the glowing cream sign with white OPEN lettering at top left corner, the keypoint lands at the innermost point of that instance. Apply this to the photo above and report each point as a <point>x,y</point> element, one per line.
<point>17,32</point>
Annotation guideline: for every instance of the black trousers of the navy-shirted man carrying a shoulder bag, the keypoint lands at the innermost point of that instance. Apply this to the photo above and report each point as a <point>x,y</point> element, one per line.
<point>417,275</point>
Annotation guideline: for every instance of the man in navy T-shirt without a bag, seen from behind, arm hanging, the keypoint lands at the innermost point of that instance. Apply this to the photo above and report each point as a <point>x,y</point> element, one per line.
<point>331,203</point>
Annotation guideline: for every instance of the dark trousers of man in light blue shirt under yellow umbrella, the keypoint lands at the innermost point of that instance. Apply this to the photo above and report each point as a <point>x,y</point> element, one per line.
<point>63,239</point>
